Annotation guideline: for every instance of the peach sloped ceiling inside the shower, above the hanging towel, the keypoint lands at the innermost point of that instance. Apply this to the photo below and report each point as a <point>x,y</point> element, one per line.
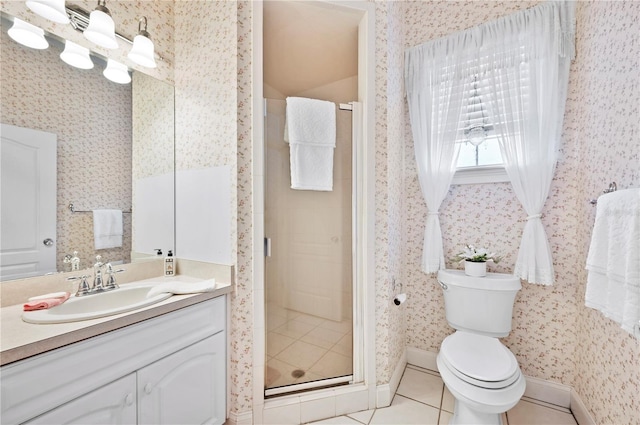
<point>308,44</point>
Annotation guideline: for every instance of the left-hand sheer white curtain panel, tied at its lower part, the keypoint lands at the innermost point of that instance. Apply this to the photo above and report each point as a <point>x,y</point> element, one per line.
<point>435,107</point>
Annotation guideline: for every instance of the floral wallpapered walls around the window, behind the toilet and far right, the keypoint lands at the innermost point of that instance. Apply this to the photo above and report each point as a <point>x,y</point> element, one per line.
<point>600,144</point>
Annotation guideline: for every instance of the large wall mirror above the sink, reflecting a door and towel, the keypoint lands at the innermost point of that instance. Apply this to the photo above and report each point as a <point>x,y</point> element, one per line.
<point>114,150</point>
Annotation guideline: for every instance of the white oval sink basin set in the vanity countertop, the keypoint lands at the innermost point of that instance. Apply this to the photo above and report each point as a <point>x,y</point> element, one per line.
<point>126,298</point>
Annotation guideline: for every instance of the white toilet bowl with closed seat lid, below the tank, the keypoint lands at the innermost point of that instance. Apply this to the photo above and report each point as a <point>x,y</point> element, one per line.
<point>482,375</point>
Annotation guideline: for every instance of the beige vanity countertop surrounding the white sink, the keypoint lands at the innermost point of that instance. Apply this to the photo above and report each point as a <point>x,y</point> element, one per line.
<point>19,340</point>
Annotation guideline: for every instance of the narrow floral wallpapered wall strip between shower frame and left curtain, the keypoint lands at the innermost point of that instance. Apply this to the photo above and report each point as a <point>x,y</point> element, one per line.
<point>390,279</point>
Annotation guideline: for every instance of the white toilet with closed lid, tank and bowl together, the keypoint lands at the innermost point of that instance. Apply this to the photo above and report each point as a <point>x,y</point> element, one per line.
<point>480,372</point>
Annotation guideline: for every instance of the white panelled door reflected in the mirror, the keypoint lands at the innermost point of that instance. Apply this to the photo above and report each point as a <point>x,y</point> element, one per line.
<point>28,202</point>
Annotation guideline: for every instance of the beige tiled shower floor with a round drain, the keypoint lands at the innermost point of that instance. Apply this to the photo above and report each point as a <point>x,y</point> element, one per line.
<point>298,342</point>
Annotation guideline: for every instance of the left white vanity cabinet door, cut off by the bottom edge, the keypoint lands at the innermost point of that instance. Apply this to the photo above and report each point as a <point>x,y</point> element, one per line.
<point>113,404</point>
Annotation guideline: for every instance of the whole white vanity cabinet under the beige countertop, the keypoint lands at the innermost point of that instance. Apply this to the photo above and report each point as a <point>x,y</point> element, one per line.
<point>167,370</point>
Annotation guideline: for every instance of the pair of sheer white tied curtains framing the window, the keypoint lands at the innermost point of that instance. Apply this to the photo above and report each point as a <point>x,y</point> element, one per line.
<point>522,62</point>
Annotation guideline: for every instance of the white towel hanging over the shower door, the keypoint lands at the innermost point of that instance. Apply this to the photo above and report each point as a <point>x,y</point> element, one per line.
<point>310,130</point>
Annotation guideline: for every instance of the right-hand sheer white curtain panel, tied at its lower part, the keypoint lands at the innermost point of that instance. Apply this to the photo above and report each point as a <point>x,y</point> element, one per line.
<point>527,99</point>
